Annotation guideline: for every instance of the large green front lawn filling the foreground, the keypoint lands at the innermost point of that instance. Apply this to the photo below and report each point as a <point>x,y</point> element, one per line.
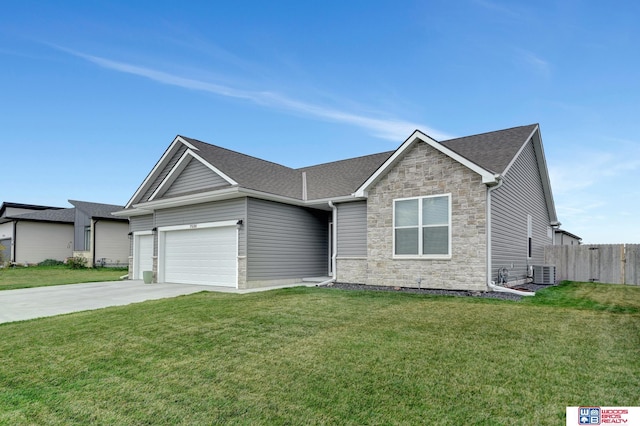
<point>323,356</point>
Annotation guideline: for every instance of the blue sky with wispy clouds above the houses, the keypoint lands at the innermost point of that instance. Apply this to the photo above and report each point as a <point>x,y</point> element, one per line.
<point>93,92</point>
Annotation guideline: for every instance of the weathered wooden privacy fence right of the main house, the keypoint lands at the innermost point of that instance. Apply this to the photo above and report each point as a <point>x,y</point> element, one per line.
<point>603,263</point>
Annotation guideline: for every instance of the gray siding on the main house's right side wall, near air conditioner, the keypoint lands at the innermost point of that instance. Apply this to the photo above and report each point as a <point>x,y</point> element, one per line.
<point>520,195</point>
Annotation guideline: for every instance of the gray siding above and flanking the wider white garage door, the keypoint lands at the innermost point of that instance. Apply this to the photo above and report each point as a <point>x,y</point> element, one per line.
<point>206,212</point>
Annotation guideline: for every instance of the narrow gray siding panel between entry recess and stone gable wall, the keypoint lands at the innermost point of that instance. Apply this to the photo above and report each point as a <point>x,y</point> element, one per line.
<point>352,229</point>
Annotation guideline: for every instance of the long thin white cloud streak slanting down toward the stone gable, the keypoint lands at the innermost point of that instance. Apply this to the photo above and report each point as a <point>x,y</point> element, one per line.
<point>390,129</point>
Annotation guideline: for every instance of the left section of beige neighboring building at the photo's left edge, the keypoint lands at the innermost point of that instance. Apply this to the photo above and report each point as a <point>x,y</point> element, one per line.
<point>43,233</point>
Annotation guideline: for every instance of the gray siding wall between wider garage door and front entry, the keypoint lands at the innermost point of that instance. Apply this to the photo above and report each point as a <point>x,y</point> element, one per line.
<point>285,241</point>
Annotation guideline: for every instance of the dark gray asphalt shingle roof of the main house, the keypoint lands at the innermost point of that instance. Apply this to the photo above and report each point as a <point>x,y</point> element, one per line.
<point>492,151</point>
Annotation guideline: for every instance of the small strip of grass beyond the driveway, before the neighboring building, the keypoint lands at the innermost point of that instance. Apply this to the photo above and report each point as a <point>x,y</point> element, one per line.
<point>40,276</point>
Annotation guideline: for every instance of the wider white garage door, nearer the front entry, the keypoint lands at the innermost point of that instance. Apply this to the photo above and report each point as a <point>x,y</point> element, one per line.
<point>201,256</point>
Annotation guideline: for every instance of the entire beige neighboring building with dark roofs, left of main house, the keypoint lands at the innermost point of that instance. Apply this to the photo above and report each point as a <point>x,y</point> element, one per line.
<point>31,234</point>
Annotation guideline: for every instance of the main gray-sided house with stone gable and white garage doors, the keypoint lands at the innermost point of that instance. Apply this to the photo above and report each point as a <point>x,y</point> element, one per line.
<point>430,214</point>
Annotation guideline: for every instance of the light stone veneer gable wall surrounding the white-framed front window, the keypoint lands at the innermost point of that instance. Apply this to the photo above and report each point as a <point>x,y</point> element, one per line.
<point>426,171</point>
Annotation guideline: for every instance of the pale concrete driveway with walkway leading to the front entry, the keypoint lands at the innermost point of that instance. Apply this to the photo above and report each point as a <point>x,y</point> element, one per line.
<point>29,303</point>
